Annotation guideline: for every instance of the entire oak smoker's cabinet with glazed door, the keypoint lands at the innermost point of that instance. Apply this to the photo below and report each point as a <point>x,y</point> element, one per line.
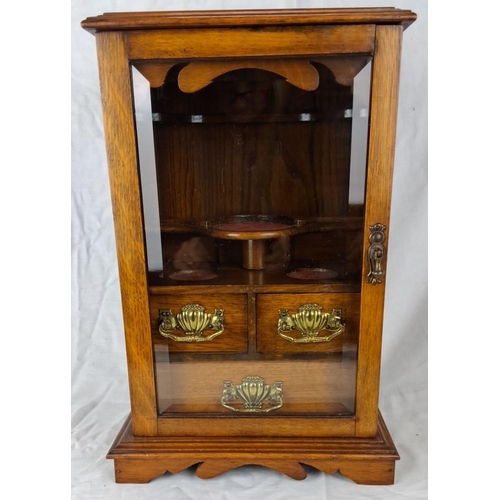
<point>250,158</point>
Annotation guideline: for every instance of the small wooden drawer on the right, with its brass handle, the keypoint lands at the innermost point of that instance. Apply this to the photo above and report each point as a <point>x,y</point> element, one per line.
<point>308,323</point>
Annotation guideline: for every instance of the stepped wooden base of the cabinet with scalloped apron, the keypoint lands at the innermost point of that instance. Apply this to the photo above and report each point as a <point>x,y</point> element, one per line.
<point>363,460</point>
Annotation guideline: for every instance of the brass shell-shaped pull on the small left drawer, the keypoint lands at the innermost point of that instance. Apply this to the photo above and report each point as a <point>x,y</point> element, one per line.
<point>193,320</point>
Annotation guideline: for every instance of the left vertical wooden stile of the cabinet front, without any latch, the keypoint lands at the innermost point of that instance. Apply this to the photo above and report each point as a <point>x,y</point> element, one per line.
<point>116,94</point>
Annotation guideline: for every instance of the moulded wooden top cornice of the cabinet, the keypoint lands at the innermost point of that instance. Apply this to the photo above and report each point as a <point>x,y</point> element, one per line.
<point>118,21</point>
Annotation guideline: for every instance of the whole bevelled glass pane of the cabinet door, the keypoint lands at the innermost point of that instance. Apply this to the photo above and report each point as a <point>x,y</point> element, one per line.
<point>253,180</point>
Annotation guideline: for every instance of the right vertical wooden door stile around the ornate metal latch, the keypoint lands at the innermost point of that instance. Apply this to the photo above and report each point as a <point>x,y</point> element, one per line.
<point>384,101</point>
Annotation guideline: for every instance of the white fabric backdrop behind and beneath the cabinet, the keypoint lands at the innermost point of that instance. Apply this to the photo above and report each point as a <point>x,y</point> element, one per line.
<point>100,400</point>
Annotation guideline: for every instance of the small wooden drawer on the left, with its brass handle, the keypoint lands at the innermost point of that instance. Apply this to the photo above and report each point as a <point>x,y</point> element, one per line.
<point>200,323</point>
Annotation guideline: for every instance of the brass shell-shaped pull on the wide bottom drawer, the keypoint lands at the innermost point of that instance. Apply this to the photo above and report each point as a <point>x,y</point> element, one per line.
<point>254,394</point>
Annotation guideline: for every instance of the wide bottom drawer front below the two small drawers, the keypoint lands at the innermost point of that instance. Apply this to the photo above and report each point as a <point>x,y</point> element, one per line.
<point>323,387</point>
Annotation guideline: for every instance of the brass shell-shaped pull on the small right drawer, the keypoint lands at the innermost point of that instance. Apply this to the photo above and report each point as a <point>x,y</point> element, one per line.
<point>309,321</point>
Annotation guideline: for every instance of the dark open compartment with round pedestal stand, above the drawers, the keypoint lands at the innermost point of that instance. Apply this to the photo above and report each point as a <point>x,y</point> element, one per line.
<point>257,179</point>
